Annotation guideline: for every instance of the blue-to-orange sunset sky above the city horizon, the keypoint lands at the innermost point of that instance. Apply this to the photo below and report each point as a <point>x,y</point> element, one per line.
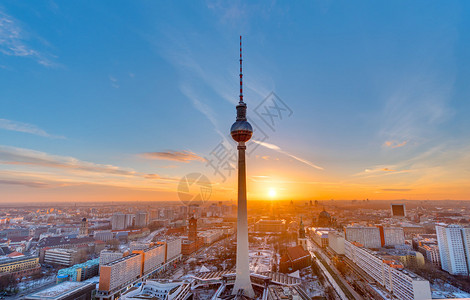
<point>118,100</point>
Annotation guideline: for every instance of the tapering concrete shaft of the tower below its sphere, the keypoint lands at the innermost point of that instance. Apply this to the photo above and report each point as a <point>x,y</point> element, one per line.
<point>242,279</point>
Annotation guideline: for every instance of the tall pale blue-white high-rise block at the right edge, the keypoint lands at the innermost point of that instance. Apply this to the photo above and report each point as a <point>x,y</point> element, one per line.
<point>454,248</point>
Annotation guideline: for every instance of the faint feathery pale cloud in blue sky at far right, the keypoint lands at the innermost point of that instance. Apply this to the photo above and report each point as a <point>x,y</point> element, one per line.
<point>419,101</point>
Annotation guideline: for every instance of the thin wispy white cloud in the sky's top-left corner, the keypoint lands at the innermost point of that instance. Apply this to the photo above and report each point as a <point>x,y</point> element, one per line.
<point>13,41</point>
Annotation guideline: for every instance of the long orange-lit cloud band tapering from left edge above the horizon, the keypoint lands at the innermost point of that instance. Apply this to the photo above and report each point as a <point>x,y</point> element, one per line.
<point>58,171</point>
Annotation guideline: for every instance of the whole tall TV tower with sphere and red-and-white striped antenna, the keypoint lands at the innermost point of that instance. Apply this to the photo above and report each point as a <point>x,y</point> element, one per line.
<point>241,132</point>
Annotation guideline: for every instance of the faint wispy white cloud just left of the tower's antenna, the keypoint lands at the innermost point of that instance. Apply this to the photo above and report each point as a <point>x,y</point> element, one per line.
<point>189,57</point>
